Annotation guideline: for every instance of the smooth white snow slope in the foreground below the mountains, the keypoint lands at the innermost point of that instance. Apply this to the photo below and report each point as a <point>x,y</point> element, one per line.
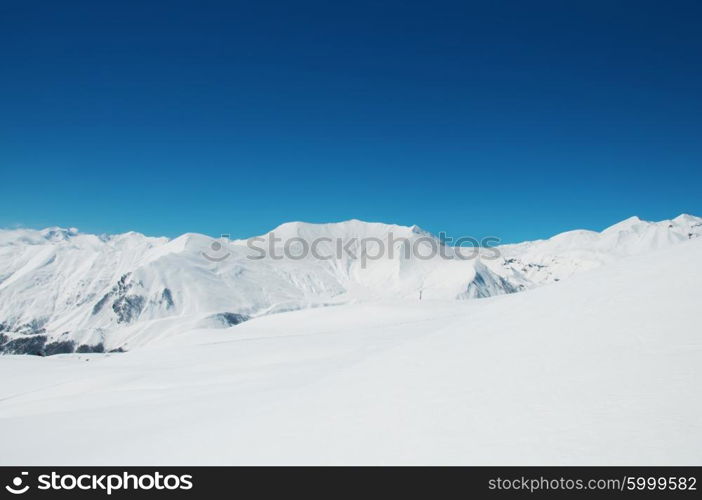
<point>603,368</point>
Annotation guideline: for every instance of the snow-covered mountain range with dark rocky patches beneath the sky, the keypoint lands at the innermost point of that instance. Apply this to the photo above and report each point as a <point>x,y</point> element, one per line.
<point>63,291</point>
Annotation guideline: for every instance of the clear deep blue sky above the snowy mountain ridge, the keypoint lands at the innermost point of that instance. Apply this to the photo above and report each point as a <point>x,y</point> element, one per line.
<point>516,119</point>
